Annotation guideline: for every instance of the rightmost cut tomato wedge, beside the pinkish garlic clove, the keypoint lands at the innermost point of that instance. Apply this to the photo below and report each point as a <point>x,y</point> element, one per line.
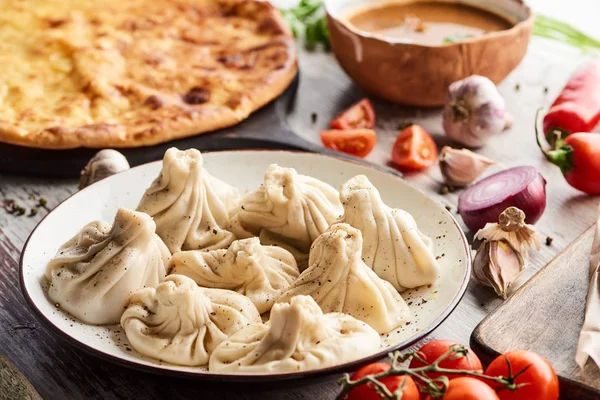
<point>414,149</point>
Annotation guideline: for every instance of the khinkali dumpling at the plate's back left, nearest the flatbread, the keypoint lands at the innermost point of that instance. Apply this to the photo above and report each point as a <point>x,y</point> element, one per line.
<point>190,207</point>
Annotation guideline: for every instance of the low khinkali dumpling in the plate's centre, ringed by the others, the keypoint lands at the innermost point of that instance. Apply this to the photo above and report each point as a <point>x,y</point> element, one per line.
<point>259,272</point>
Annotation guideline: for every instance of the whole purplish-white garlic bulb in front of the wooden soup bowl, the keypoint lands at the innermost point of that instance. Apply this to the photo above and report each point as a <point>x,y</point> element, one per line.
<point>474,111</point>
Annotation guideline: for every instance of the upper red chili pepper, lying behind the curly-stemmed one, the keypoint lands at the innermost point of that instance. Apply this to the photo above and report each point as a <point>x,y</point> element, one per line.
<point>577,107</point>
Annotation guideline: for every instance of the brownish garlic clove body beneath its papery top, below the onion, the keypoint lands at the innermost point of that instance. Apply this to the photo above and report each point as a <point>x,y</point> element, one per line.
<point>497,264</point>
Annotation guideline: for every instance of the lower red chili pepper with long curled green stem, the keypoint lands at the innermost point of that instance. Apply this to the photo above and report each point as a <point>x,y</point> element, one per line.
<point>578,157</point>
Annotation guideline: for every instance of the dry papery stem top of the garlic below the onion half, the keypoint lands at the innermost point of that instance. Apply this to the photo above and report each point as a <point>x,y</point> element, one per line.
<point>511,227</point>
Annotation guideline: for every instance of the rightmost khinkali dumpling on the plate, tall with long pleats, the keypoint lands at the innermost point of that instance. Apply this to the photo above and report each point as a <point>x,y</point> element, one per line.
<point>393,245</point>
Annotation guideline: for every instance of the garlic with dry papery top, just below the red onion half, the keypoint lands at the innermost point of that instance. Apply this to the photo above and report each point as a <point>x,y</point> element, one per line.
<point>502,256</point>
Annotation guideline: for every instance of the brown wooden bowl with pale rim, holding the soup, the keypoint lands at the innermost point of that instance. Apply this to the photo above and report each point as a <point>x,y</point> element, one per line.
<point>419,75</point>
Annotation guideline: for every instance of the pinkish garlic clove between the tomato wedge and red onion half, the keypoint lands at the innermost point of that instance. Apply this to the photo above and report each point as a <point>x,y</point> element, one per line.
<point>461,167</point>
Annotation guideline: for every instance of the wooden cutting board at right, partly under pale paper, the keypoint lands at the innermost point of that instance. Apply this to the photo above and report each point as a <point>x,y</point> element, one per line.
<point>545,316</point>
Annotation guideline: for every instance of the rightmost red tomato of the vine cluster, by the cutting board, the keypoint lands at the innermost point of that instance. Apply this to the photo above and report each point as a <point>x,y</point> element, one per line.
<point>541,382</point>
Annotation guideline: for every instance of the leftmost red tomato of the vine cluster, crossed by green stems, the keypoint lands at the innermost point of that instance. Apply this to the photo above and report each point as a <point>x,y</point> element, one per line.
<point>366,392</point>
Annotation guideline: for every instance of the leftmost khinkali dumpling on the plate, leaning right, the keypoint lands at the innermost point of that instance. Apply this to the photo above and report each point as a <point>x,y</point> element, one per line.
<point>93,275</point>
